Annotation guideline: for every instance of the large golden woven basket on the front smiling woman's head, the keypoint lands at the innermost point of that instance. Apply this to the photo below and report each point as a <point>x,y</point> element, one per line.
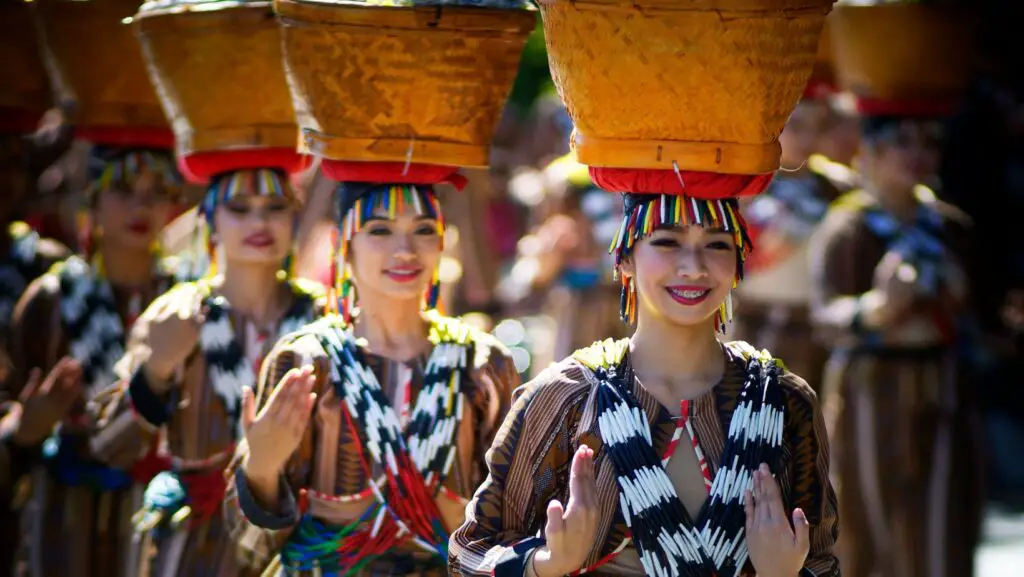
<point>699,86</point>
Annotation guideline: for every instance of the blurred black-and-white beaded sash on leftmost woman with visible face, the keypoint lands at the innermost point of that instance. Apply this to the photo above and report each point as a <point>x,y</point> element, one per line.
<point>92,323</point>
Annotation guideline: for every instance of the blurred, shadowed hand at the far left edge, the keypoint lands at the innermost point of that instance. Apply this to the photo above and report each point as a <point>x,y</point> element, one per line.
<point>46,402</point>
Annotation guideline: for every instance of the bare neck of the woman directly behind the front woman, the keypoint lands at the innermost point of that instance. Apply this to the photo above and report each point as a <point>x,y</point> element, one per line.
<point>393,328</point>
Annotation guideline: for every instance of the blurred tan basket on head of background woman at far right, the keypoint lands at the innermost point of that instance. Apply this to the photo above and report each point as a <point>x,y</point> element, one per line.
<point>902,52</point>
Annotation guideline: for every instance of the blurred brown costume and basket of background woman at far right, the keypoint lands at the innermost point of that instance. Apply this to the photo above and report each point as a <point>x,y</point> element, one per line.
<point>903,422</point>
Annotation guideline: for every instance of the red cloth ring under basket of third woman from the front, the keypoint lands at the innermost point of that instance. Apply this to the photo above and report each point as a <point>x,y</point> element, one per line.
<point>200,168</point>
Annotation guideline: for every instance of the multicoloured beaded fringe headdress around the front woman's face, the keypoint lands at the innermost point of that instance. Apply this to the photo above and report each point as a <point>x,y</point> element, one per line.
<point>644,217</point>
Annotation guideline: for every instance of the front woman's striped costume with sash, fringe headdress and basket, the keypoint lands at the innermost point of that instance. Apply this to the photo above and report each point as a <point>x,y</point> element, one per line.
<point>676,172</point>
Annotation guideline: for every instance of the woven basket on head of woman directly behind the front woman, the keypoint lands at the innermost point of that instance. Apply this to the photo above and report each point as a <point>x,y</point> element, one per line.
<point>415,85</point>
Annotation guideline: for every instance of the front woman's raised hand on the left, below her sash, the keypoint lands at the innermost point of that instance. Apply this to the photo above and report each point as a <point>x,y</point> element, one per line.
<point>572,530</point>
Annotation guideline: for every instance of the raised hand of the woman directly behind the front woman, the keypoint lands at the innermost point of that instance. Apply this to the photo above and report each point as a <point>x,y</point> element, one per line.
<point>277,432</point>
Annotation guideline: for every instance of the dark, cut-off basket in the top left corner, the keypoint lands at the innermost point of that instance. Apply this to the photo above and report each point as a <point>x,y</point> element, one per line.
<point>24,84</point>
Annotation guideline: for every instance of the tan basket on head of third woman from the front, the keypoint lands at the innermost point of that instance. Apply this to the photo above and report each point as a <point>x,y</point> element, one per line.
<point>221,76</point>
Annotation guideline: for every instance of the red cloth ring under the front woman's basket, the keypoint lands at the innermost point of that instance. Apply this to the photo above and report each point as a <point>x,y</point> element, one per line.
<point>706,186</point>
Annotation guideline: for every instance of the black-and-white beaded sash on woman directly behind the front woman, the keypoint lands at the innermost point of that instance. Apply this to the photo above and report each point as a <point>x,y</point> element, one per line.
<point>430,438</point>
